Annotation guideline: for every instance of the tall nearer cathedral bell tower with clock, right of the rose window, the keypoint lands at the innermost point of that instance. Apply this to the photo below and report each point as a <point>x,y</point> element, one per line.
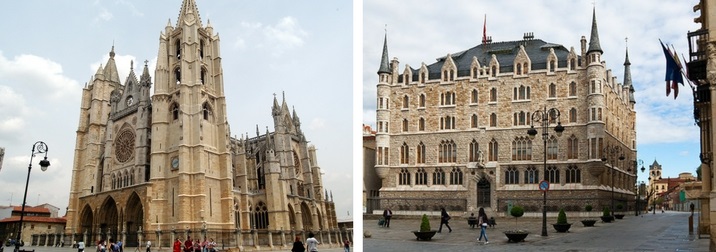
<point>190,155</point>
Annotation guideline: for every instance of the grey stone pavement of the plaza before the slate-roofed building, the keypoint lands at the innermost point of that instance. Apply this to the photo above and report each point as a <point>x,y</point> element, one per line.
<point>649,232</point>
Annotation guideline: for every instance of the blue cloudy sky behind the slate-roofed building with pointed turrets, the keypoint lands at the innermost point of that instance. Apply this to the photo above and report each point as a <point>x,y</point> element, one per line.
<point>425,30</point>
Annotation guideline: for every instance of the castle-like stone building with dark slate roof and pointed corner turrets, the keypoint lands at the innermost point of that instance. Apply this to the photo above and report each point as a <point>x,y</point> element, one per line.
<point>453,133</point>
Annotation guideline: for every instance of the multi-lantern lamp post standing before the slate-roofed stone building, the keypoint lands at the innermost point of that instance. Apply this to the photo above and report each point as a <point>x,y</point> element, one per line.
<point>545,117</point>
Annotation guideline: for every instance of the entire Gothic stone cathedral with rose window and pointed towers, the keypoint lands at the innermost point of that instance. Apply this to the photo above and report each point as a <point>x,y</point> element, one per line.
<point>164,165</point>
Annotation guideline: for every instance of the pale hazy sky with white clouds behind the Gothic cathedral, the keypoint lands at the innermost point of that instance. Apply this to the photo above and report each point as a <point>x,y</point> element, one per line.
<point>51,49</point>
